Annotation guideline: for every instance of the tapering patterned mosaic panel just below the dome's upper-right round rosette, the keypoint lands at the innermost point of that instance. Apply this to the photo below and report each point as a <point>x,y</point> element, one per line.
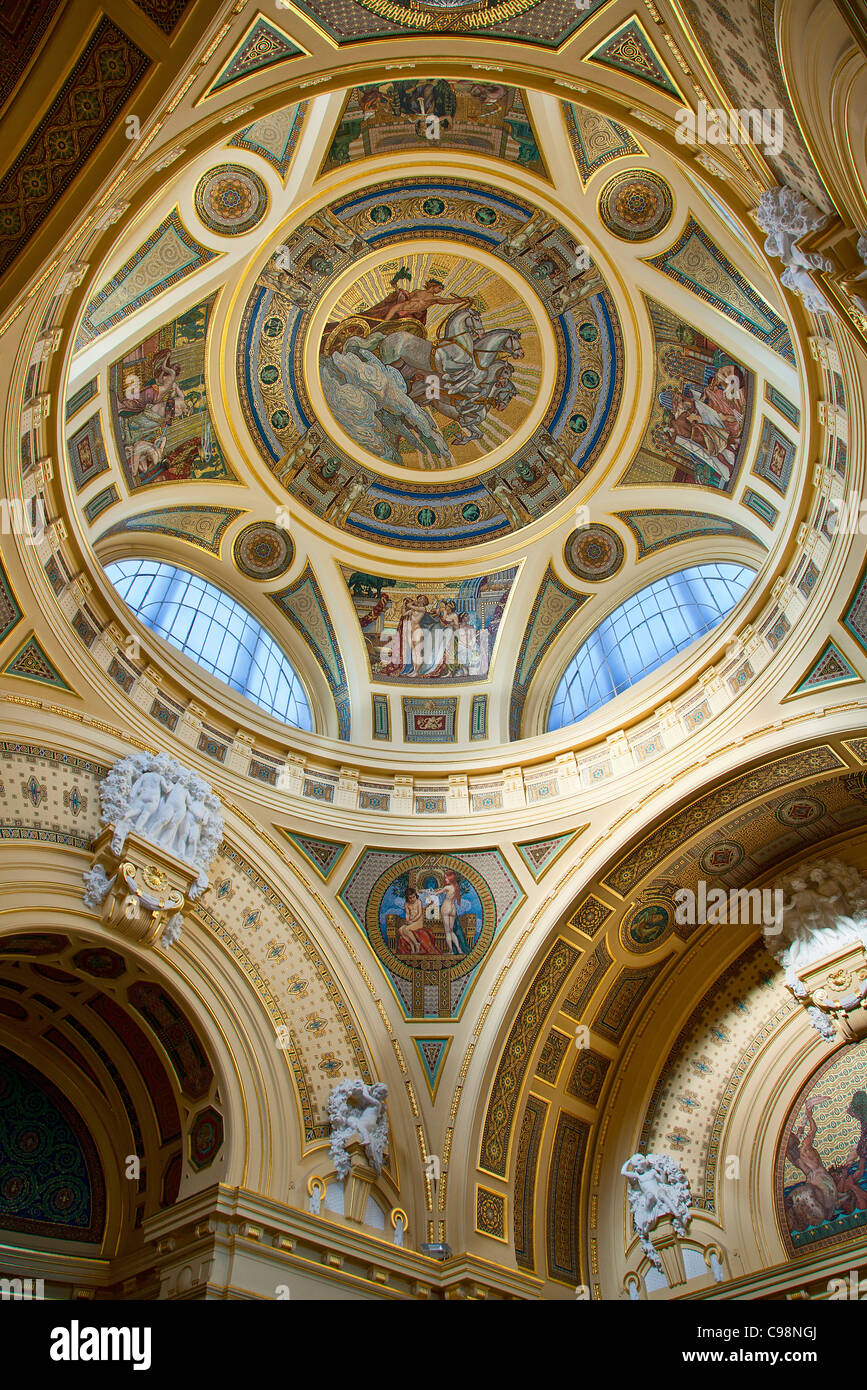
<point>698,263</point>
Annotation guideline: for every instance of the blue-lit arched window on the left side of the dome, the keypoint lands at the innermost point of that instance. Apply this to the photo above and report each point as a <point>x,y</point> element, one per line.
<point>216,632</point>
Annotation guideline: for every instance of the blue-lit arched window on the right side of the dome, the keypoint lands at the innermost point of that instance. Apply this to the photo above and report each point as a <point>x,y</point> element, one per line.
<point>644,633</point>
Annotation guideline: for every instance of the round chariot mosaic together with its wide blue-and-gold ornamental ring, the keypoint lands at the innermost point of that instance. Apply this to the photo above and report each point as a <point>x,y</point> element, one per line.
<point>430,327</point>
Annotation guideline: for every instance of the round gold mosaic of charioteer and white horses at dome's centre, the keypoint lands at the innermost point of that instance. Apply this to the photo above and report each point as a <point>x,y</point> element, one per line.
<point>466,340</point>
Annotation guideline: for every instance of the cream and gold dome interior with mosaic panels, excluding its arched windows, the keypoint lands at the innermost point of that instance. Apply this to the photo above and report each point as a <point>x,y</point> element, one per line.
<point>431,377</point>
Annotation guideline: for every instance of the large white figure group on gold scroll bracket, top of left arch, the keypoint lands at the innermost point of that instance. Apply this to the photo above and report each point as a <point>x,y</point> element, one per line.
<point>160,800</point>
